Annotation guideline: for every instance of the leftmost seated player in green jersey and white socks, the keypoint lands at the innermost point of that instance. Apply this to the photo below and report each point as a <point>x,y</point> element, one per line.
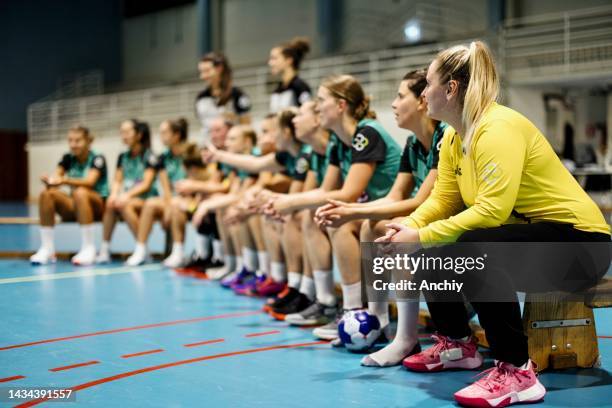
<point>84,171</point>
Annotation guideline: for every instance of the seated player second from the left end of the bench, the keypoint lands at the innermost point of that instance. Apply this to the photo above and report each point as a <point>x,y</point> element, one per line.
<point>133,183</point>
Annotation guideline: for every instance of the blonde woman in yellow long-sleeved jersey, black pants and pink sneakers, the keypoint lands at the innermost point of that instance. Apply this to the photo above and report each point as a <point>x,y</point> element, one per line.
<point>495,167</point>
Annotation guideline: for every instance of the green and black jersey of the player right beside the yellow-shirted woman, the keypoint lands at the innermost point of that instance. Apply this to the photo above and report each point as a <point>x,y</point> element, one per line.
<point>417,161</point>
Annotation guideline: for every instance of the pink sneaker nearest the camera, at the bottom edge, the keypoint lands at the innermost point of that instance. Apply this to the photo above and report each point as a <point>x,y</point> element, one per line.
<point>503,385</point>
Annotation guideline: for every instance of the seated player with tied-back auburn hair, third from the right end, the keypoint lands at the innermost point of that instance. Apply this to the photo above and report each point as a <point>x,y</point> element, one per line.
<point>363,165</point>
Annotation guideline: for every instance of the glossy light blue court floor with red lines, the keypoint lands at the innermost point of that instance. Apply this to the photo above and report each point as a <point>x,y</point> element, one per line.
<point>145,336</point>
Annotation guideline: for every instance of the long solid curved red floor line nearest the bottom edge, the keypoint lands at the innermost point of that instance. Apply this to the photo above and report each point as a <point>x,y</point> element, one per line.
<point>173,364</point>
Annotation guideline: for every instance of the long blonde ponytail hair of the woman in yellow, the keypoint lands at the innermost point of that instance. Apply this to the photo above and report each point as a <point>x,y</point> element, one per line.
<point>474,70</point>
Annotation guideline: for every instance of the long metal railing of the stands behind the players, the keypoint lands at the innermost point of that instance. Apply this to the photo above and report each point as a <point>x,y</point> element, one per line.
<point>542,48</point>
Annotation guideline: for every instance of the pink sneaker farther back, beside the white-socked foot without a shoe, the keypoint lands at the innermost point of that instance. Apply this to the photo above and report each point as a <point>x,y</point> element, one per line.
<point>446,354</point>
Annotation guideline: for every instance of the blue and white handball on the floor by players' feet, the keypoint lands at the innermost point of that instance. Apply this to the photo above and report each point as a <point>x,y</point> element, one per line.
<point>358,330</point>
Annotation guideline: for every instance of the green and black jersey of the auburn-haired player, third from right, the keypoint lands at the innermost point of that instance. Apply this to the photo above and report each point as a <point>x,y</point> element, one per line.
<point>371,143</point>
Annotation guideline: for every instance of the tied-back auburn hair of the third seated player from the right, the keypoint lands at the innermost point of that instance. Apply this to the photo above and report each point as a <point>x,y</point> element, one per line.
<point>348,88</point>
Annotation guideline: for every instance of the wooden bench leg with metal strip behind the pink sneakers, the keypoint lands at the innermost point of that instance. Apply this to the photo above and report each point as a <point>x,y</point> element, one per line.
<point>561,334</point>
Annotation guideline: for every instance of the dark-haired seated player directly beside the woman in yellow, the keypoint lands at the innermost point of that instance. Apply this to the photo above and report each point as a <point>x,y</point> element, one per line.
<point>414,182</point>
